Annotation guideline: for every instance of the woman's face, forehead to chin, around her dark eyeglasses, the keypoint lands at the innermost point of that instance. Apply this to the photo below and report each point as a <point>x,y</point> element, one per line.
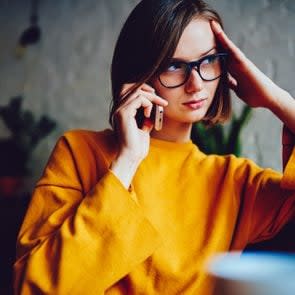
<point>189,103</point>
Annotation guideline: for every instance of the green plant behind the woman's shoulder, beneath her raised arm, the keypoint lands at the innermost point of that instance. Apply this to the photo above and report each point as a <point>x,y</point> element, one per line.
<point>214,140</point>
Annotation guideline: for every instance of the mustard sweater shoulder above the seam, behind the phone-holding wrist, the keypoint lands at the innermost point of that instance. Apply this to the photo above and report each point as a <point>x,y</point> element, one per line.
<point>80,156</point>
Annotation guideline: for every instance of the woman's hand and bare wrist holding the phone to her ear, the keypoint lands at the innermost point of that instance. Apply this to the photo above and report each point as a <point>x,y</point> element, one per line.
<point>133,141</point>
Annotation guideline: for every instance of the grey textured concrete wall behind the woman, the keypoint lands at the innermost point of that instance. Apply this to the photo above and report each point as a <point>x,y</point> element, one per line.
<point>67,74</point>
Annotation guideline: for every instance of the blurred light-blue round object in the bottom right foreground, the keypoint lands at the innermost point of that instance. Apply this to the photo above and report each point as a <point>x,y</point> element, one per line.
<point>255,273</point>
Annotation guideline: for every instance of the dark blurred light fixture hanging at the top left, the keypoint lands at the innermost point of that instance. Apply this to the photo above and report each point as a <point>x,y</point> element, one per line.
<point>32,34</point>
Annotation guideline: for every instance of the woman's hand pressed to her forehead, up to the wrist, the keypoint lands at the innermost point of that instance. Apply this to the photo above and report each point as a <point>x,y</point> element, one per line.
<point>248,82</point>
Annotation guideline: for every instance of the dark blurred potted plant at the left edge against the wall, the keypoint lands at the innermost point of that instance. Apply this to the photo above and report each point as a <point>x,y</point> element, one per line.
<point>26,133</point>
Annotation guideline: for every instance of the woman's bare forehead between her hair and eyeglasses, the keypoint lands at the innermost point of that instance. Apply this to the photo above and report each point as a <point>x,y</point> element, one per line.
<point>196,40</point>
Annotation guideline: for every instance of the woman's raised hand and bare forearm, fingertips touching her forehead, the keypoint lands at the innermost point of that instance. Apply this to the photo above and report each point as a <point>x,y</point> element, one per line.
<point>252,86</point>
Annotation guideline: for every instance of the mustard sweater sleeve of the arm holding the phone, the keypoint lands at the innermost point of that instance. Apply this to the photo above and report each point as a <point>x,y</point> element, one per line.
<point>71,243</point>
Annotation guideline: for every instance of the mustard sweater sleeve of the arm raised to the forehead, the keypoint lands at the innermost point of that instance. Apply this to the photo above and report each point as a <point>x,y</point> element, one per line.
<point>267,197</point>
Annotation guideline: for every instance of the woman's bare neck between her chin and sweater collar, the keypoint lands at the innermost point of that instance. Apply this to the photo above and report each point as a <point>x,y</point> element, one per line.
<point>173,131</point>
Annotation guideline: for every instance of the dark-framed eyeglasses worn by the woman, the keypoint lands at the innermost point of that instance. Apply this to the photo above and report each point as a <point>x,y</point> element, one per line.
<point>209,67</point>
